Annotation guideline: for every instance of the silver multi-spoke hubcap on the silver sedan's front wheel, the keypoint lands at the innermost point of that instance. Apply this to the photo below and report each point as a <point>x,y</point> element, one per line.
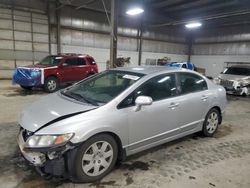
<point>97,158</point>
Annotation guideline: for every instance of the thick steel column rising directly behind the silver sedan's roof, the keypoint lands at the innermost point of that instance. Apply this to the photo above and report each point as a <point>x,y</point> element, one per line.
<point>113,32</point>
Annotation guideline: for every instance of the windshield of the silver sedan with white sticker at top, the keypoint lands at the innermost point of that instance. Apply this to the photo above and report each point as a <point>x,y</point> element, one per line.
<point>103,87</point>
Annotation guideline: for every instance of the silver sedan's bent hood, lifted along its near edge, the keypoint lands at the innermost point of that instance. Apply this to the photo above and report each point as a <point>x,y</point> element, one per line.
<point>50,109</point>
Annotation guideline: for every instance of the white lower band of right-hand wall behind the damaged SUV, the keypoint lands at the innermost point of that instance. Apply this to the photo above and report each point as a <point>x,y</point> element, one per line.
<point>214,64</point>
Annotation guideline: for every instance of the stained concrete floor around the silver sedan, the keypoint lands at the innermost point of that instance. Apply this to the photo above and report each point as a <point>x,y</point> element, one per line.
<point>193,161</point>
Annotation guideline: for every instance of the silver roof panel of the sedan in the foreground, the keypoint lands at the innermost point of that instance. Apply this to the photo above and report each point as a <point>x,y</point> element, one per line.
<point>147,69</point>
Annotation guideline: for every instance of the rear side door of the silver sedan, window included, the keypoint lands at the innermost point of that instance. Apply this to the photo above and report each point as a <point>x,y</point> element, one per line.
<point>194,100</point>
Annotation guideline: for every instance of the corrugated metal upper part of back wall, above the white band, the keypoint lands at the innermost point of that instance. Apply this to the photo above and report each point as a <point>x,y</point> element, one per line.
<point>83,28</point>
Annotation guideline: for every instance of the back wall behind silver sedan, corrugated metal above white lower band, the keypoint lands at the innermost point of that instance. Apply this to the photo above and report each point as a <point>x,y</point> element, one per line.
<point>83,31</point>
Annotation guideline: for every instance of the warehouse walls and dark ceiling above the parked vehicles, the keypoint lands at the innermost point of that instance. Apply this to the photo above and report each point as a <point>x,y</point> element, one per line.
<point>30,30</point>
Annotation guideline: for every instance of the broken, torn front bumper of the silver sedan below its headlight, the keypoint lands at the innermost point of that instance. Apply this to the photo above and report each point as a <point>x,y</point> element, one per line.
<point>52,161</point>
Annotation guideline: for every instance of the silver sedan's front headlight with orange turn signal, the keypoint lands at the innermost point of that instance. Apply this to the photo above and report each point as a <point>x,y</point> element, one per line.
<point>40,141</point>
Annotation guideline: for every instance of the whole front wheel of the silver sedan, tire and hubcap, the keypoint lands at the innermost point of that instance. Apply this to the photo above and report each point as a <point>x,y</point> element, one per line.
<point>94,159</point>
